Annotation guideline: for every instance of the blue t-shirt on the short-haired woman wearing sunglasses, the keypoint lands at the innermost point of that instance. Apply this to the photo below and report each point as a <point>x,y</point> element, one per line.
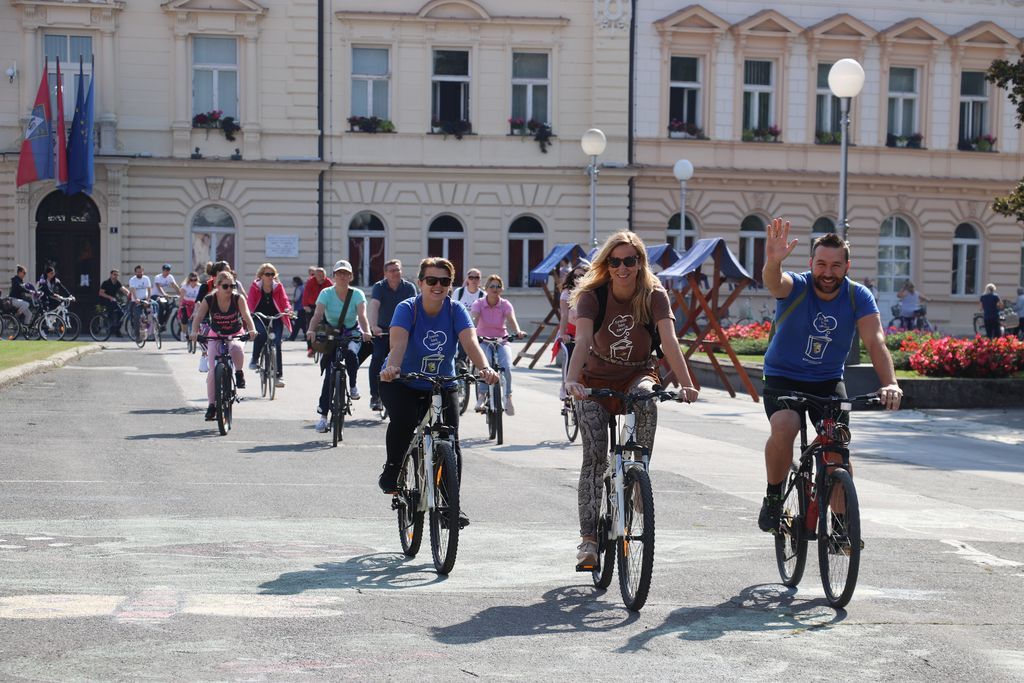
<point>433,341</point>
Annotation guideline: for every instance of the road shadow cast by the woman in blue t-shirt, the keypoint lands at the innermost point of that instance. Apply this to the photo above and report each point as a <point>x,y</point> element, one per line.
<point>371,572</point>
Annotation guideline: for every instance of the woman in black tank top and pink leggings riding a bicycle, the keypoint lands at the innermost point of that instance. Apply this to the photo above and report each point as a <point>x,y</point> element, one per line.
<point>229,313</point>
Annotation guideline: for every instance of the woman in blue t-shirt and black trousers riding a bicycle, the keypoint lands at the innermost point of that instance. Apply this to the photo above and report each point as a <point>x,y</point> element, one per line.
<point>425,333</point>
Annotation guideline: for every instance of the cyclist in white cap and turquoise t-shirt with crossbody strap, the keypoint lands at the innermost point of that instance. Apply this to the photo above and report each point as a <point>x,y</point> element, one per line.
<point>330,305</point>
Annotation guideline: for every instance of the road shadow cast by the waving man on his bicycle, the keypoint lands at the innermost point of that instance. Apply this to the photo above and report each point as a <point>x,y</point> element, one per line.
<point>761,609</point>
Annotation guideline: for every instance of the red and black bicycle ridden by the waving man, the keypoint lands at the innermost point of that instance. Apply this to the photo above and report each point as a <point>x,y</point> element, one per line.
<point>820,502</point>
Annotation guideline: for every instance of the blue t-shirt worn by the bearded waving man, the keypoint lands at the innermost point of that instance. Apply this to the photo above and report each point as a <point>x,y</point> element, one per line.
<point>813,343</point>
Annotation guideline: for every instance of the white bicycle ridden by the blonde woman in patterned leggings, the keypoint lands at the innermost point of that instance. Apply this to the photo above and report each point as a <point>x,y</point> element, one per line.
<point>626,518</point>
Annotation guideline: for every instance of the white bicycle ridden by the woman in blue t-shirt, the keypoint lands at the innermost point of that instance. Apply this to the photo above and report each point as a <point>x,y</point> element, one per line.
<point>430,481</point>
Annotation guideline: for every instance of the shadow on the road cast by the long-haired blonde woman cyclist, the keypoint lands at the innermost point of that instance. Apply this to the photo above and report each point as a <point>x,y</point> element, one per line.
<point>568,610</point>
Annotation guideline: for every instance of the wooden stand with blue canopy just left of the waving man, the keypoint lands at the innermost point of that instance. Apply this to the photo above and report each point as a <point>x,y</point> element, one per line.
<point>698,297</point>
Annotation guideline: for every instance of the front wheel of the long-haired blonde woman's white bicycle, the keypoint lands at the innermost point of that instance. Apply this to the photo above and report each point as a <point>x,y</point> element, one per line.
<point>636,548</point>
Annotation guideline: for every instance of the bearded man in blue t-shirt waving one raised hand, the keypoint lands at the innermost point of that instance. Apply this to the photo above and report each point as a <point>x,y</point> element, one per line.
<point>821,311</point>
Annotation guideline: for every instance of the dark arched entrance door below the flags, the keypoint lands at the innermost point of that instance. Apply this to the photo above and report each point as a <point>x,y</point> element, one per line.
<point>68,239</point>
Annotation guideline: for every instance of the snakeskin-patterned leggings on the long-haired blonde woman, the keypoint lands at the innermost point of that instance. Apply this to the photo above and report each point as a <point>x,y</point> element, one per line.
<point>594,428</point>
